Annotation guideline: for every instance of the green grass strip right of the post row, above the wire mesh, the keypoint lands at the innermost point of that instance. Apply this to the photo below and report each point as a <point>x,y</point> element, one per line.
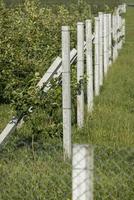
<point>112,121</point>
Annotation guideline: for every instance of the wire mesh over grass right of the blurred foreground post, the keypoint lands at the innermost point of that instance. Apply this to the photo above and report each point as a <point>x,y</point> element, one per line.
<point>113,173</point>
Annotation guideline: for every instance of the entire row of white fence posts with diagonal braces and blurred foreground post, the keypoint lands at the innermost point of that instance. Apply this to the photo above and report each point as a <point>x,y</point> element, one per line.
<point>109,37</point>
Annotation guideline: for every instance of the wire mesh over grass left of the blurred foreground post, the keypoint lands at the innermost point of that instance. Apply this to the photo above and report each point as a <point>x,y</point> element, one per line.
<point>35,173</point>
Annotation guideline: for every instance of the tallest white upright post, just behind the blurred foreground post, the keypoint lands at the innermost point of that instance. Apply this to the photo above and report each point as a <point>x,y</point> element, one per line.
<point>66,91</point>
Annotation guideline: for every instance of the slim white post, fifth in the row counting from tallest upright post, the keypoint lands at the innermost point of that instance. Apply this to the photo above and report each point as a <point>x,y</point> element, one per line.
<point>101,36</point>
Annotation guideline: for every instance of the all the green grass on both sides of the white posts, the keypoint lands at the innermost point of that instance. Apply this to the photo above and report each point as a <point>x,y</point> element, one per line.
<point>31,170</point>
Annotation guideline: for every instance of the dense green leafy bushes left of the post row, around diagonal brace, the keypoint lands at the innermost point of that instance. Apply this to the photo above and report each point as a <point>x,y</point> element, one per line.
<point>30,39</point>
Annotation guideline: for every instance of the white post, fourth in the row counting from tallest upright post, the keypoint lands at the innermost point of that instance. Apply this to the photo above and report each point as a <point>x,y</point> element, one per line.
<point>97,69</point>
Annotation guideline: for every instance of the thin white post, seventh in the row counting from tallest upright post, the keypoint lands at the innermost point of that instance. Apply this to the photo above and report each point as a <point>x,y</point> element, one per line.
<point>110,38</point>
